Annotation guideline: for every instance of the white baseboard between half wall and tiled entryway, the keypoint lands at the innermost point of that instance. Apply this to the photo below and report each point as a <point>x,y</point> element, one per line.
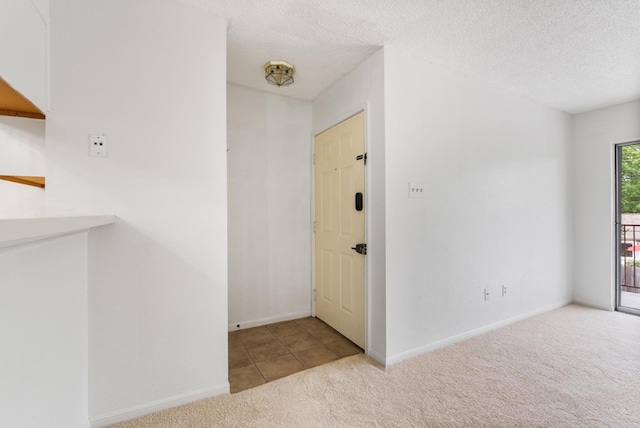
<point>156,406</point>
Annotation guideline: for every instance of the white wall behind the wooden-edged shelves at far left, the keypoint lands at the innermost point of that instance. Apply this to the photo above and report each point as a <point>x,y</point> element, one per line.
<point>21,153</point>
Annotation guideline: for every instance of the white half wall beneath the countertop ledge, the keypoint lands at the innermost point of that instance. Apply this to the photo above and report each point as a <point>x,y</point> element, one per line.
<point>43,325</point>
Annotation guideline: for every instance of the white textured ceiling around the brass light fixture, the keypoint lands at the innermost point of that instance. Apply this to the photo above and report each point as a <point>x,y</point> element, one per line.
<point>573,55</point>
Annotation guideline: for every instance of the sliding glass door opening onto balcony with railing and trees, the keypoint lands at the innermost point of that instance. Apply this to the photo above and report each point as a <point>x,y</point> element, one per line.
<point>628,227</point>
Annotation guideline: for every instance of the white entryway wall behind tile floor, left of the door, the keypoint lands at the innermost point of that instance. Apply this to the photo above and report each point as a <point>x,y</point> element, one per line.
<point>269,225</point>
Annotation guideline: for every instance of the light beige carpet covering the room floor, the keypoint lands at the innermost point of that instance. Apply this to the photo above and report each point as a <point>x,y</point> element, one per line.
<point>573,367</point>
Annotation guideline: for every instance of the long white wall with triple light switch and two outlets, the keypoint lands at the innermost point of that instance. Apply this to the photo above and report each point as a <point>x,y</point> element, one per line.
<point>497,206</point>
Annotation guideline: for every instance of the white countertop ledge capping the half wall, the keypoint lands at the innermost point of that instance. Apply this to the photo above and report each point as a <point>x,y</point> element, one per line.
<point>23,230</point>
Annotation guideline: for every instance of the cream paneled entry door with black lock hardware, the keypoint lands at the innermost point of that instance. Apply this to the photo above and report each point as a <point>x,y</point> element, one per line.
<point>339,227</point>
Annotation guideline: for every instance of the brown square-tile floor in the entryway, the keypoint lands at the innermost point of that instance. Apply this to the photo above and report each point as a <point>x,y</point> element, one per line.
<point>263,354</point>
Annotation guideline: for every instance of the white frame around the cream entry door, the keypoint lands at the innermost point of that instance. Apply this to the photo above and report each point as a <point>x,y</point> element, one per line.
<point>323,127</point>
